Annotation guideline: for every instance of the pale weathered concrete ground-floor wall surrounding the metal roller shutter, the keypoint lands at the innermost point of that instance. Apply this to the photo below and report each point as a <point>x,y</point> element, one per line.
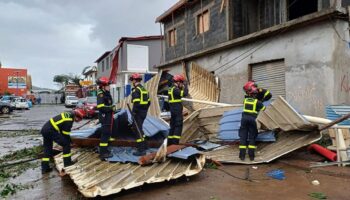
<point>316,66</point>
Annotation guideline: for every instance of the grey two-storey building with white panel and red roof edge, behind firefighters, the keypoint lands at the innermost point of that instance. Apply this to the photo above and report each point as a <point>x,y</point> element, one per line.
<point>135,55</point>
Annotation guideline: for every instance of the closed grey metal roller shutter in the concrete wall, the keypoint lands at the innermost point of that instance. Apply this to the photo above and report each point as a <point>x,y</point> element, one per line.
<point>271,75</point>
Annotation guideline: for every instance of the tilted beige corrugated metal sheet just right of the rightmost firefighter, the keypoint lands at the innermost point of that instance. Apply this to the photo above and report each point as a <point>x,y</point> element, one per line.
<point>281,115</point>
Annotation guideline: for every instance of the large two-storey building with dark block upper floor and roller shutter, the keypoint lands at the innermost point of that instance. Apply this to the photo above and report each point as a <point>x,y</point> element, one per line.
<point>298,49</point>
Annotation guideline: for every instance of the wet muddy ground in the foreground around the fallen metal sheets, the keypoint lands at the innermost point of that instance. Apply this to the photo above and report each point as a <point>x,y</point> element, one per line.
<point>227,182</point>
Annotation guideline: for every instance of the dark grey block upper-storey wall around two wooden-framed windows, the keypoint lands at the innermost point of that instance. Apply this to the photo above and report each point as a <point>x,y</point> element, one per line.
<point>187,39</point>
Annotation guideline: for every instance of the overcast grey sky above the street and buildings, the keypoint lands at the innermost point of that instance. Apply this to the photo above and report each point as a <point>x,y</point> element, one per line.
<point>50,37</point>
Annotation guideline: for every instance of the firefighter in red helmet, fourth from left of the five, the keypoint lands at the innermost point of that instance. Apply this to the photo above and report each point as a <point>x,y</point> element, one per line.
<point>175,93</point>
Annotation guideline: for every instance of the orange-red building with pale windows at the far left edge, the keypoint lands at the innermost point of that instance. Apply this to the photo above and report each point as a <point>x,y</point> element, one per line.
<point>11,87</point>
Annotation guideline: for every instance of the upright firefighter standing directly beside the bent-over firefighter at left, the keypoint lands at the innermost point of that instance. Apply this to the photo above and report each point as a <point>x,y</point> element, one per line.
<point>105,107</point>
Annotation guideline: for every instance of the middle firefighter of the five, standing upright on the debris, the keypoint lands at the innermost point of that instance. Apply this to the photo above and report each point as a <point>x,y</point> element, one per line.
<point>141,102</point>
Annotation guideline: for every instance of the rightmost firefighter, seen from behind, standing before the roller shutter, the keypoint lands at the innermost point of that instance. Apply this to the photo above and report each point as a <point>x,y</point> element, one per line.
<point>248,129</point>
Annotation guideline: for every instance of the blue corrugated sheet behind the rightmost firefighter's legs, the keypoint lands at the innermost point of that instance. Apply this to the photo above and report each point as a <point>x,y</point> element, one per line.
<point>230,124</point>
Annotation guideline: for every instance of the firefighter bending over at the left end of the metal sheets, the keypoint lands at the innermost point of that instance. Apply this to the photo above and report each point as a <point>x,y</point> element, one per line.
<point>57,129</point>
